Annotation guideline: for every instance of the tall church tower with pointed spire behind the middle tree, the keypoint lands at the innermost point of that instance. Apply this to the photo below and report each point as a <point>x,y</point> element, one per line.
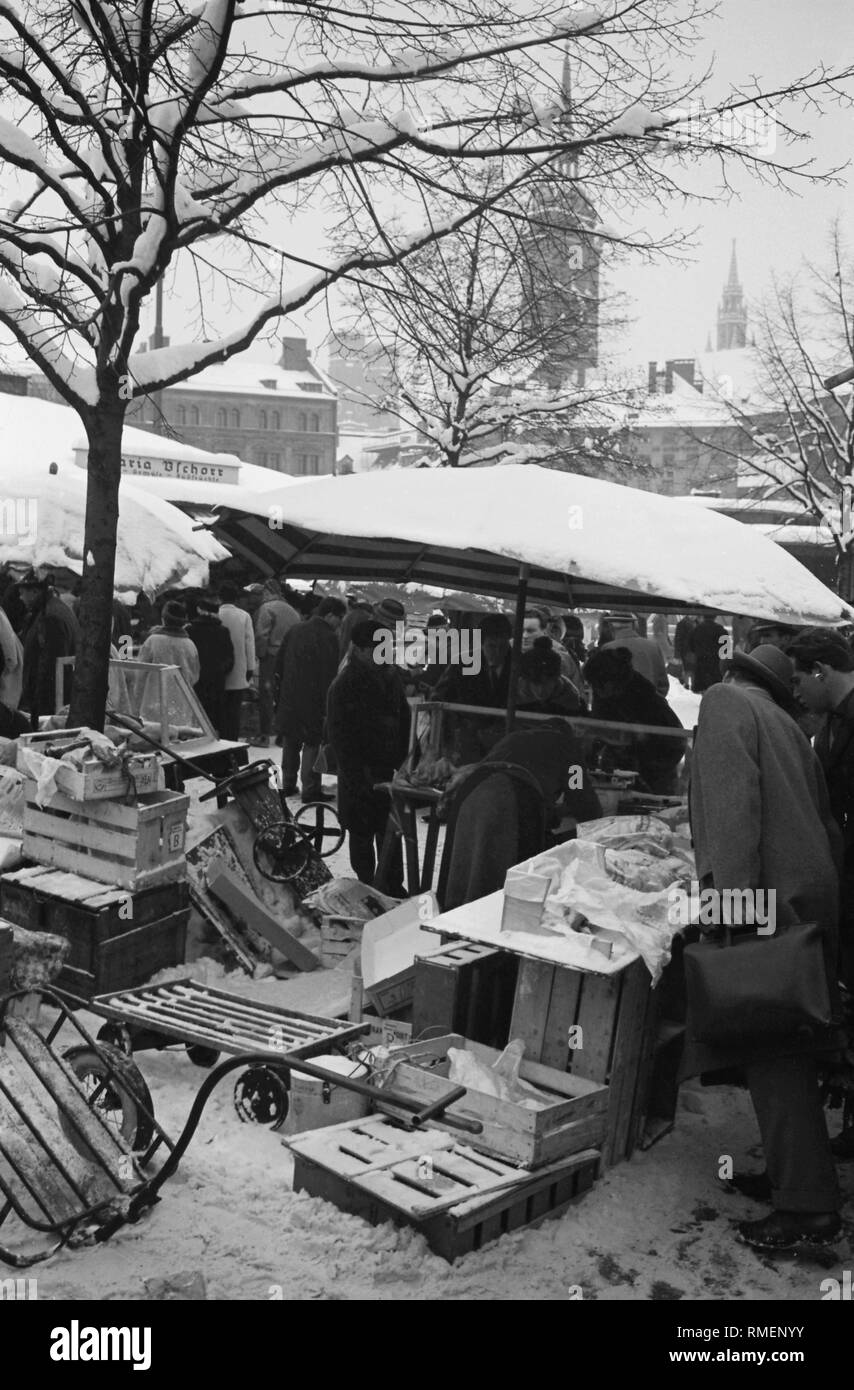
<point>563,272</point>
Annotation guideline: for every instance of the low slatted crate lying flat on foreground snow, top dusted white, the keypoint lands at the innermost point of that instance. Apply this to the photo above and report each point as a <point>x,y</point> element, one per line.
<point>457,1199</point>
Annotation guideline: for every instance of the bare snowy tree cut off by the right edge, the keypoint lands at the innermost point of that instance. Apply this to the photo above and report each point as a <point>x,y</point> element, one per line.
<point>796,436</point>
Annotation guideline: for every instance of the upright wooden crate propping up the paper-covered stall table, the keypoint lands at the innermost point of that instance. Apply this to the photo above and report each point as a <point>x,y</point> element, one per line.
<point>614,1014</point>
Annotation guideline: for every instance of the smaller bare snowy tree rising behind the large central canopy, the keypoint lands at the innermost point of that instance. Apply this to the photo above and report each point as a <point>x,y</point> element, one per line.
<point>481,345</point>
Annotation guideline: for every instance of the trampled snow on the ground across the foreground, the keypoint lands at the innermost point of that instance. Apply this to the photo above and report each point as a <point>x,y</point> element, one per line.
<point>657,1228</point>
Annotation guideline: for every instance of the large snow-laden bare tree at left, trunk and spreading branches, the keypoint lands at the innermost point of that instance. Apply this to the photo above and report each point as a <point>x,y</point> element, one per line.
<point>143,134</point>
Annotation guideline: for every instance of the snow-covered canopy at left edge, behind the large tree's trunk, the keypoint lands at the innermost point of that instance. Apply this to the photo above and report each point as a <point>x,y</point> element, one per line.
<point>42,514</point>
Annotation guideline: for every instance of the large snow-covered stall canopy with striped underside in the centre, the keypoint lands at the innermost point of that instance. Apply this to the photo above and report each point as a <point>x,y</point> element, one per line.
<point>589,544</point>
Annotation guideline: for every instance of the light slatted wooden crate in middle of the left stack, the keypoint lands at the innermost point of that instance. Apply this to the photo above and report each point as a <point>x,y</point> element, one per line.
<point>127,846</point>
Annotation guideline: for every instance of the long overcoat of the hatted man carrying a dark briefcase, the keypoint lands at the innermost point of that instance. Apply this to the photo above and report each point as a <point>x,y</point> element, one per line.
<point>762,819</point>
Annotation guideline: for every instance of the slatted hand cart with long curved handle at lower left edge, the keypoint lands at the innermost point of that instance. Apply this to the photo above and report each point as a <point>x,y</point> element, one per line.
<point>79,1128</point>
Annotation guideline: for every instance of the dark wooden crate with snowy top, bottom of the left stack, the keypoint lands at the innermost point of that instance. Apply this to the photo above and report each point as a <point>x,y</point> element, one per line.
<point>119,940</point>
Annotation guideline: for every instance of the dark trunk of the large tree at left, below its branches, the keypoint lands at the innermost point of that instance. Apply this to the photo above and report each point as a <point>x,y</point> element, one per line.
<point>95,611</point>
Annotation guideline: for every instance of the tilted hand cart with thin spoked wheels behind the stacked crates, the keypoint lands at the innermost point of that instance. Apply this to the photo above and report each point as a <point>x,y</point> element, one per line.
<point>284,839</point>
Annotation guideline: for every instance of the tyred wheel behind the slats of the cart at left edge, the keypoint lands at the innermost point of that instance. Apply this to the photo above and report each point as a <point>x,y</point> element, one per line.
<point>116,1090</point>
